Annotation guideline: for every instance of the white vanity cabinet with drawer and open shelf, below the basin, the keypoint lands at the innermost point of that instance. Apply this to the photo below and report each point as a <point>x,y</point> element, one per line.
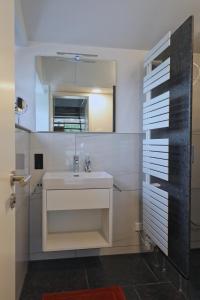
<point>77,218</point>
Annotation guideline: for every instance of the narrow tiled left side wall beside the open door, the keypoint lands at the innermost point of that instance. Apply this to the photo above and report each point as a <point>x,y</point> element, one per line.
<point>22,147</point>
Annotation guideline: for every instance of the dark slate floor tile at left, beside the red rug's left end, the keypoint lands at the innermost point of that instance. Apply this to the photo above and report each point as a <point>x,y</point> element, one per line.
<point>53,276</point>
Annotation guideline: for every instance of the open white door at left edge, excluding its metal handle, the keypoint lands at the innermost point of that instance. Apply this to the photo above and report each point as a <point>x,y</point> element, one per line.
<point>7,150</point>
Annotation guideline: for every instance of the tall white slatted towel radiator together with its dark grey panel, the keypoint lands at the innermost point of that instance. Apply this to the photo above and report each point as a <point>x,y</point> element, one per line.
<point>167,151</point>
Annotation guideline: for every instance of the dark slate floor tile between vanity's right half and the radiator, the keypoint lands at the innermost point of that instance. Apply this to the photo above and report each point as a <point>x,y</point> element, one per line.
<point>119,269</point>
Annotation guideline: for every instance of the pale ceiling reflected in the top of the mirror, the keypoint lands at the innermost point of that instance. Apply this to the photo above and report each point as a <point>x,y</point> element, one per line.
<point>65,74</point>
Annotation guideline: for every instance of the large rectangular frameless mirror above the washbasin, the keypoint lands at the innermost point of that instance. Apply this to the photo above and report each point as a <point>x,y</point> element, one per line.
<point>75,94</point>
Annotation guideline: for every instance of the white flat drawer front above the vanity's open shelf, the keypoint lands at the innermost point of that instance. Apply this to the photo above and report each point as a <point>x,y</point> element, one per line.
<point>77,199</point>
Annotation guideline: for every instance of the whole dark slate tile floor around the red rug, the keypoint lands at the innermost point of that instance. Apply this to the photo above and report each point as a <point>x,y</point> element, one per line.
<point>129,271</point>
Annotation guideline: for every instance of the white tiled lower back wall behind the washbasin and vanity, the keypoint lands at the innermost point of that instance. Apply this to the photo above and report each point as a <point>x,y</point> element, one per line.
<point>118,154</point>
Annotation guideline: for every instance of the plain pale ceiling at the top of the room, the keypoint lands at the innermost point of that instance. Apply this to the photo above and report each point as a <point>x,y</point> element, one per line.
<point>131,24</point>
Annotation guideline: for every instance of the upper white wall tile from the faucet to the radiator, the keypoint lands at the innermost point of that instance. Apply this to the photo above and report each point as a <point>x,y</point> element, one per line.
<point>118,154</point>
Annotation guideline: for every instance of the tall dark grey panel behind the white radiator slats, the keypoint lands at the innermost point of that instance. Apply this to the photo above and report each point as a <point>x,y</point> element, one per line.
<point>179,134</point>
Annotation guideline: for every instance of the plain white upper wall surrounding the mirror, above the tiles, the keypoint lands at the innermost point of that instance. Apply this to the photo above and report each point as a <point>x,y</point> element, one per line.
<point>129,80</point>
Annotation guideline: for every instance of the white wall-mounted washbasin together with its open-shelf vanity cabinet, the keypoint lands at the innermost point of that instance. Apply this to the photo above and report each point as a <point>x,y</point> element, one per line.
<point>77,211</point>
